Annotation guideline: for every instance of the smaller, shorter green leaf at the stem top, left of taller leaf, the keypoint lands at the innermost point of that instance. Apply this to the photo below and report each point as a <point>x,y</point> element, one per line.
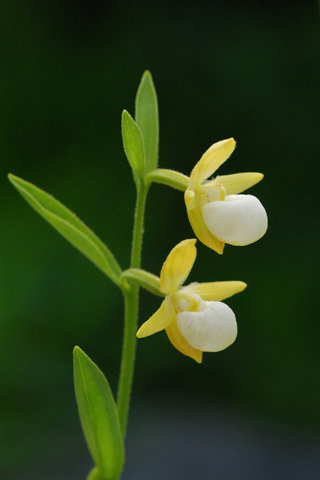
<point>133,144</point>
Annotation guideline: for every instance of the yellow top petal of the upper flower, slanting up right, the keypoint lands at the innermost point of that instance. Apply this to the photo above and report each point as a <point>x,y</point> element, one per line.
<point>211,160</point>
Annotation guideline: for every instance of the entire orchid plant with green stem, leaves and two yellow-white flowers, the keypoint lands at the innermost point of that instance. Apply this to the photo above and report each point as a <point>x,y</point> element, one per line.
<point>193,316</point>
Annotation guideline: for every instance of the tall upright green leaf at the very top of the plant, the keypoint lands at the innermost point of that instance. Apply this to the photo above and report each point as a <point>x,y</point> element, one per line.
<point>148,119</point>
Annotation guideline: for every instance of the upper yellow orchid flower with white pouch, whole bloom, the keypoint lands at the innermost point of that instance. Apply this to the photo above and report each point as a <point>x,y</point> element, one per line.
<point>217,214</point>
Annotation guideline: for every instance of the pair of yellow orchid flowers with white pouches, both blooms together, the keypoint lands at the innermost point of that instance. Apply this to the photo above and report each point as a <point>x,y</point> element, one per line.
<point>193,316</point>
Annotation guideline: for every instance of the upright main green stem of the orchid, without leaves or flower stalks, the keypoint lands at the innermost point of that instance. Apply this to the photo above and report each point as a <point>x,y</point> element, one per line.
<point>131,295</point>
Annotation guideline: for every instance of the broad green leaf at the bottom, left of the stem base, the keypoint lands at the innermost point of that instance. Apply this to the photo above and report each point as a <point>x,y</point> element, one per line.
<point>98,415</point>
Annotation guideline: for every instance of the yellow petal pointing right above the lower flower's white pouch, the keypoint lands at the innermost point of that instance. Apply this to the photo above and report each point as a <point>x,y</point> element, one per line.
<point>215,291</point>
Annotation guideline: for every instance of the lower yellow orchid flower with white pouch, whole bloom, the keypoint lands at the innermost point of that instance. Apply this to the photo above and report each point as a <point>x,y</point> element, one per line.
<point>193,316</point>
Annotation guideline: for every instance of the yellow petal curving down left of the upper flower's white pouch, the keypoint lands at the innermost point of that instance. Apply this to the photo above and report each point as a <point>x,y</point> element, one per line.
<point>197,223</point>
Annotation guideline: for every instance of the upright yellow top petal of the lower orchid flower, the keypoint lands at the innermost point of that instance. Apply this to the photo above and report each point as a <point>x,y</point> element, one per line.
<point>177,266</point>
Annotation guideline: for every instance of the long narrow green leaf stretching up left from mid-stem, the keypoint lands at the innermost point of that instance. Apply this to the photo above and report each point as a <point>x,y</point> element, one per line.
<point>70,227</point>
